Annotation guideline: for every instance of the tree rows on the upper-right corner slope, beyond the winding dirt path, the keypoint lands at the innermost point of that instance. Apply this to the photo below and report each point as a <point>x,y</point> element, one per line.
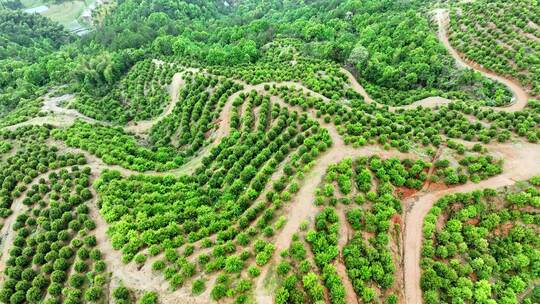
<point>501,36</point>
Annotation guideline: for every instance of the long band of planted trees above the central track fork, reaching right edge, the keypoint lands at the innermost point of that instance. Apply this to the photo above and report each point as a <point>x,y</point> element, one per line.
<point>361,123</point>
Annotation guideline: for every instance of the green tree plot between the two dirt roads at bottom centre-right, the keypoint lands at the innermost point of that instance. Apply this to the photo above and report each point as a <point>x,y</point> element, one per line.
<point>367,193</point>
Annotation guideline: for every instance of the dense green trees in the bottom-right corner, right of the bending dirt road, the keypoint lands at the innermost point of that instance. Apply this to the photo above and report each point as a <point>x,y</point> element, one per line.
<point>482,246</point>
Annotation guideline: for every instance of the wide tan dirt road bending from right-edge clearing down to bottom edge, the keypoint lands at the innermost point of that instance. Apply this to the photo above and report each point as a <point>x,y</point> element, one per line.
<point>519,160</point>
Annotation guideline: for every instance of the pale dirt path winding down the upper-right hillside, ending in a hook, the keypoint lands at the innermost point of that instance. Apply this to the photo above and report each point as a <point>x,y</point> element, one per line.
<point>521,97</point>
